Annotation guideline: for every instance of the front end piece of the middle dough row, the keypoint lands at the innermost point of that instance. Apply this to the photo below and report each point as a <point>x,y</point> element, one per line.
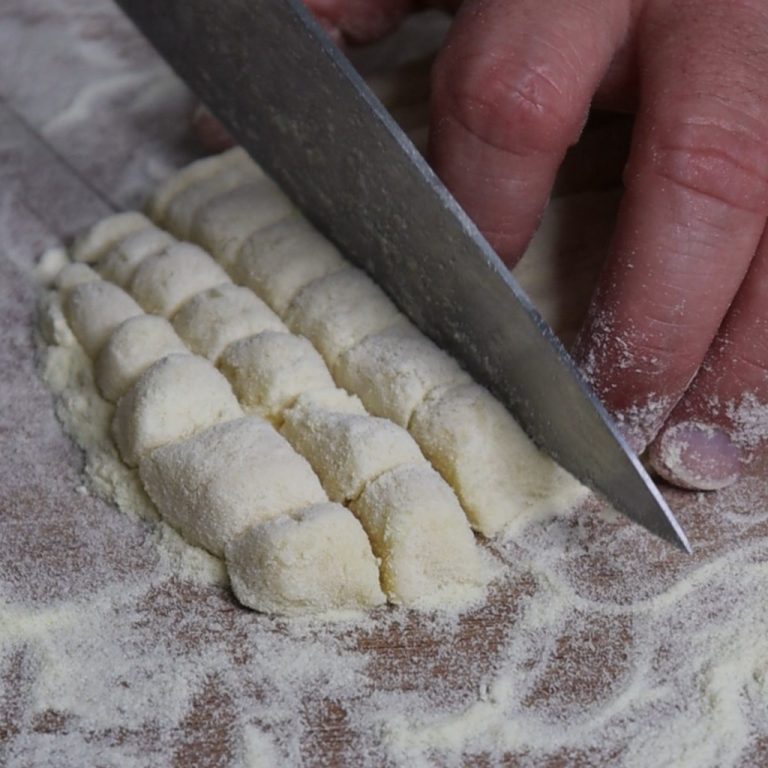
<point>417,527</point>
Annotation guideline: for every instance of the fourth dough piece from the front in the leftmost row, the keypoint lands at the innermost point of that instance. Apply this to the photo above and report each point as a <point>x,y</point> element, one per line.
<point>132,348</point>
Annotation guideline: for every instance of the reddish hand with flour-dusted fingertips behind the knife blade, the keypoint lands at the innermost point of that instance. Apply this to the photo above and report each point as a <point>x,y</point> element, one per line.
<point>677,333</point>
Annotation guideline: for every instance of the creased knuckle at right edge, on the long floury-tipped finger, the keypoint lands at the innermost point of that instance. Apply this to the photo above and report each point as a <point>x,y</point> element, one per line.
<point>722,157</point>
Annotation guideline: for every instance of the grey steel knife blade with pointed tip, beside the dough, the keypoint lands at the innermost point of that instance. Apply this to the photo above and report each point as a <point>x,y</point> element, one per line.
<point>285,93</point>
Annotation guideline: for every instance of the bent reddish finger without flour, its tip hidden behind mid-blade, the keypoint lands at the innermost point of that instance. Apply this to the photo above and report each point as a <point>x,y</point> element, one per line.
<point>511,90</point>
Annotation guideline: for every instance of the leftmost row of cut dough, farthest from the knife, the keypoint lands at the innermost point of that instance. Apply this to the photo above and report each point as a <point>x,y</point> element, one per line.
<point>218,476</point>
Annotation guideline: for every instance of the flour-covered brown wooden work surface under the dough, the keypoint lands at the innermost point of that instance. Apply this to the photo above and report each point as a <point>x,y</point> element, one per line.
<point>597,645</point>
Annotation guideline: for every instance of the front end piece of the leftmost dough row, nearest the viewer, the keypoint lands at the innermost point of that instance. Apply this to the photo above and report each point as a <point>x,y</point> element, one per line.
<point>315,561</point>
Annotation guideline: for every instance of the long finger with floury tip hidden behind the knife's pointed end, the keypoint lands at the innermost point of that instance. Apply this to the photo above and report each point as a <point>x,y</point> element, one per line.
<point>694,208</point>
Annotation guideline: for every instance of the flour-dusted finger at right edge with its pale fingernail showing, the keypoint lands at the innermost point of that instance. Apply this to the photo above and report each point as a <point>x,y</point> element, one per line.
<point>725,410</point>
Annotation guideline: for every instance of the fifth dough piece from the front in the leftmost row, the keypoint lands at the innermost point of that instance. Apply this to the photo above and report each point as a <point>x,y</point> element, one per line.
<point>93,310</point>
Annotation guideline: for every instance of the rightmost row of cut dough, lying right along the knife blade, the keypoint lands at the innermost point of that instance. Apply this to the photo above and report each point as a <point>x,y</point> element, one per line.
<point>375,353</point>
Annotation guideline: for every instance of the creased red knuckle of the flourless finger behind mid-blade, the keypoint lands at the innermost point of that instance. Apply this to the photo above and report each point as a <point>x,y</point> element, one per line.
<point>520,108</point>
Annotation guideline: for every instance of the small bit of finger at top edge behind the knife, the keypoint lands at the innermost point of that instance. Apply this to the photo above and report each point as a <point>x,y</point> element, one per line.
<point>359,21</point>
